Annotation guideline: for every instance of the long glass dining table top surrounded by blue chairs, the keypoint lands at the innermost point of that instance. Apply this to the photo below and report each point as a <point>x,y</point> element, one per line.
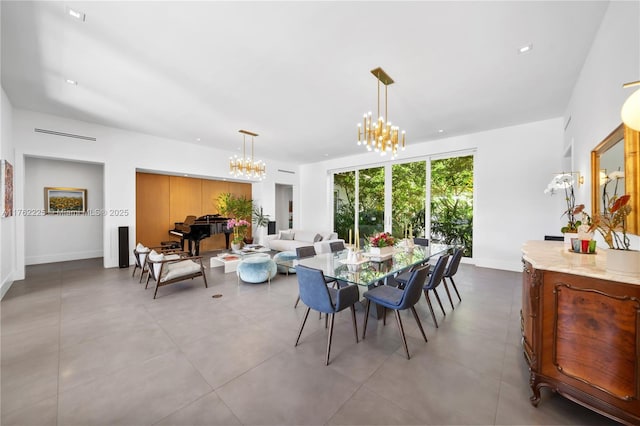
<point>368,271</point>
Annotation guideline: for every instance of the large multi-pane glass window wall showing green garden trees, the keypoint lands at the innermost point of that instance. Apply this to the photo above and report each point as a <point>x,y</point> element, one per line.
<point>431,198</point>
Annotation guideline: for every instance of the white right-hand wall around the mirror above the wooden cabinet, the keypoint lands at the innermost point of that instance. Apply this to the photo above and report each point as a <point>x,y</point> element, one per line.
<point>594,108</point>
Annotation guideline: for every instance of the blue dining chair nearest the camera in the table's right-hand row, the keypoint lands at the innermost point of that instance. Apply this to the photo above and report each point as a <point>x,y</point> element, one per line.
<point>398,300</point>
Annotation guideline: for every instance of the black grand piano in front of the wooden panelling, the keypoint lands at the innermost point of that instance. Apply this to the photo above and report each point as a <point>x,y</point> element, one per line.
<point>195,230</point>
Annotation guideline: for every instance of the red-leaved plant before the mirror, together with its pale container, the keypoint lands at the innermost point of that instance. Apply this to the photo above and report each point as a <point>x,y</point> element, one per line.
<point>612,226</point>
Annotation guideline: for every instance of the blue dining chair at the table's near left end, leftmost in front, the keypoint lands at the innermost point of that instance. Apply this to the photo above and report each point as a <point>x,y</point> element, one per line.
<point>315,293</point>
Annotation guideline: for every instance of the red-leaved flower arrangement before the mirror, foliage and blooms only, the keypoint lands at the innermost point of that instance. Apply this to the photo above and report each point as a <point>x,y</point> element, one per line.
<point>611,223</point>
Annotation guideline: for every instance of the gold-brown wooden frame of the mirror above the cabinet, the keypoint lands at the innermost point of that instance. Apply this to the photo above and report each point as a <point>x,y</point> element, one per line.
<point>631,140</point>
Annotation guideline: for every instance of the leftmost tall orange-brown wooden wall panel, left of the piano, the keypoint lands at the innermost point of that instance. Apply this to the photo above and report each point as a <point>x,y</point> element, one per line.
<point>152,208</point>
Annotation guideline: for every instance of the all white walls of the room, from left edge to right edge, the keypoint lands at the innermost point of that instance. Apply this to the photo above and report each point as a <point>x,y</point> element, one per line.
<point>513,165</point>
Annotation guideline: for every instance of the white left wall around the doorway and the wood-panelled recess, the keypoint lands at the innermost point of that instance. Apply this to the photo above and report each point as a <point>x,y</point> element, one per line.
<point>121,152</point>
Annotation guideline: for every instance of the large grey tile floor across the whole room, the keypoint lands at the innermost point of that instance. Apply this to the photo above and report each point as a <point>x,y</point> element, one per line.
<point>84,345</point>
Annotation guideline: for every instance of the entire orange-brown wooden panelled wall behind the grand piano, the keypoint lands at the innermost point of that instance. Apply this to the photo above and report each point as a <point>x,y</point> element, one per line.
<point>162,200</point>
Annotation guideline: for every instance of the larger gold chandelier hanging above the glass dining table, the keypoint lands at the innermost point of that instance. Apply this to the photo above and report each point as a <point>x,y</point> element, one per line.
<point>378,136</point>
